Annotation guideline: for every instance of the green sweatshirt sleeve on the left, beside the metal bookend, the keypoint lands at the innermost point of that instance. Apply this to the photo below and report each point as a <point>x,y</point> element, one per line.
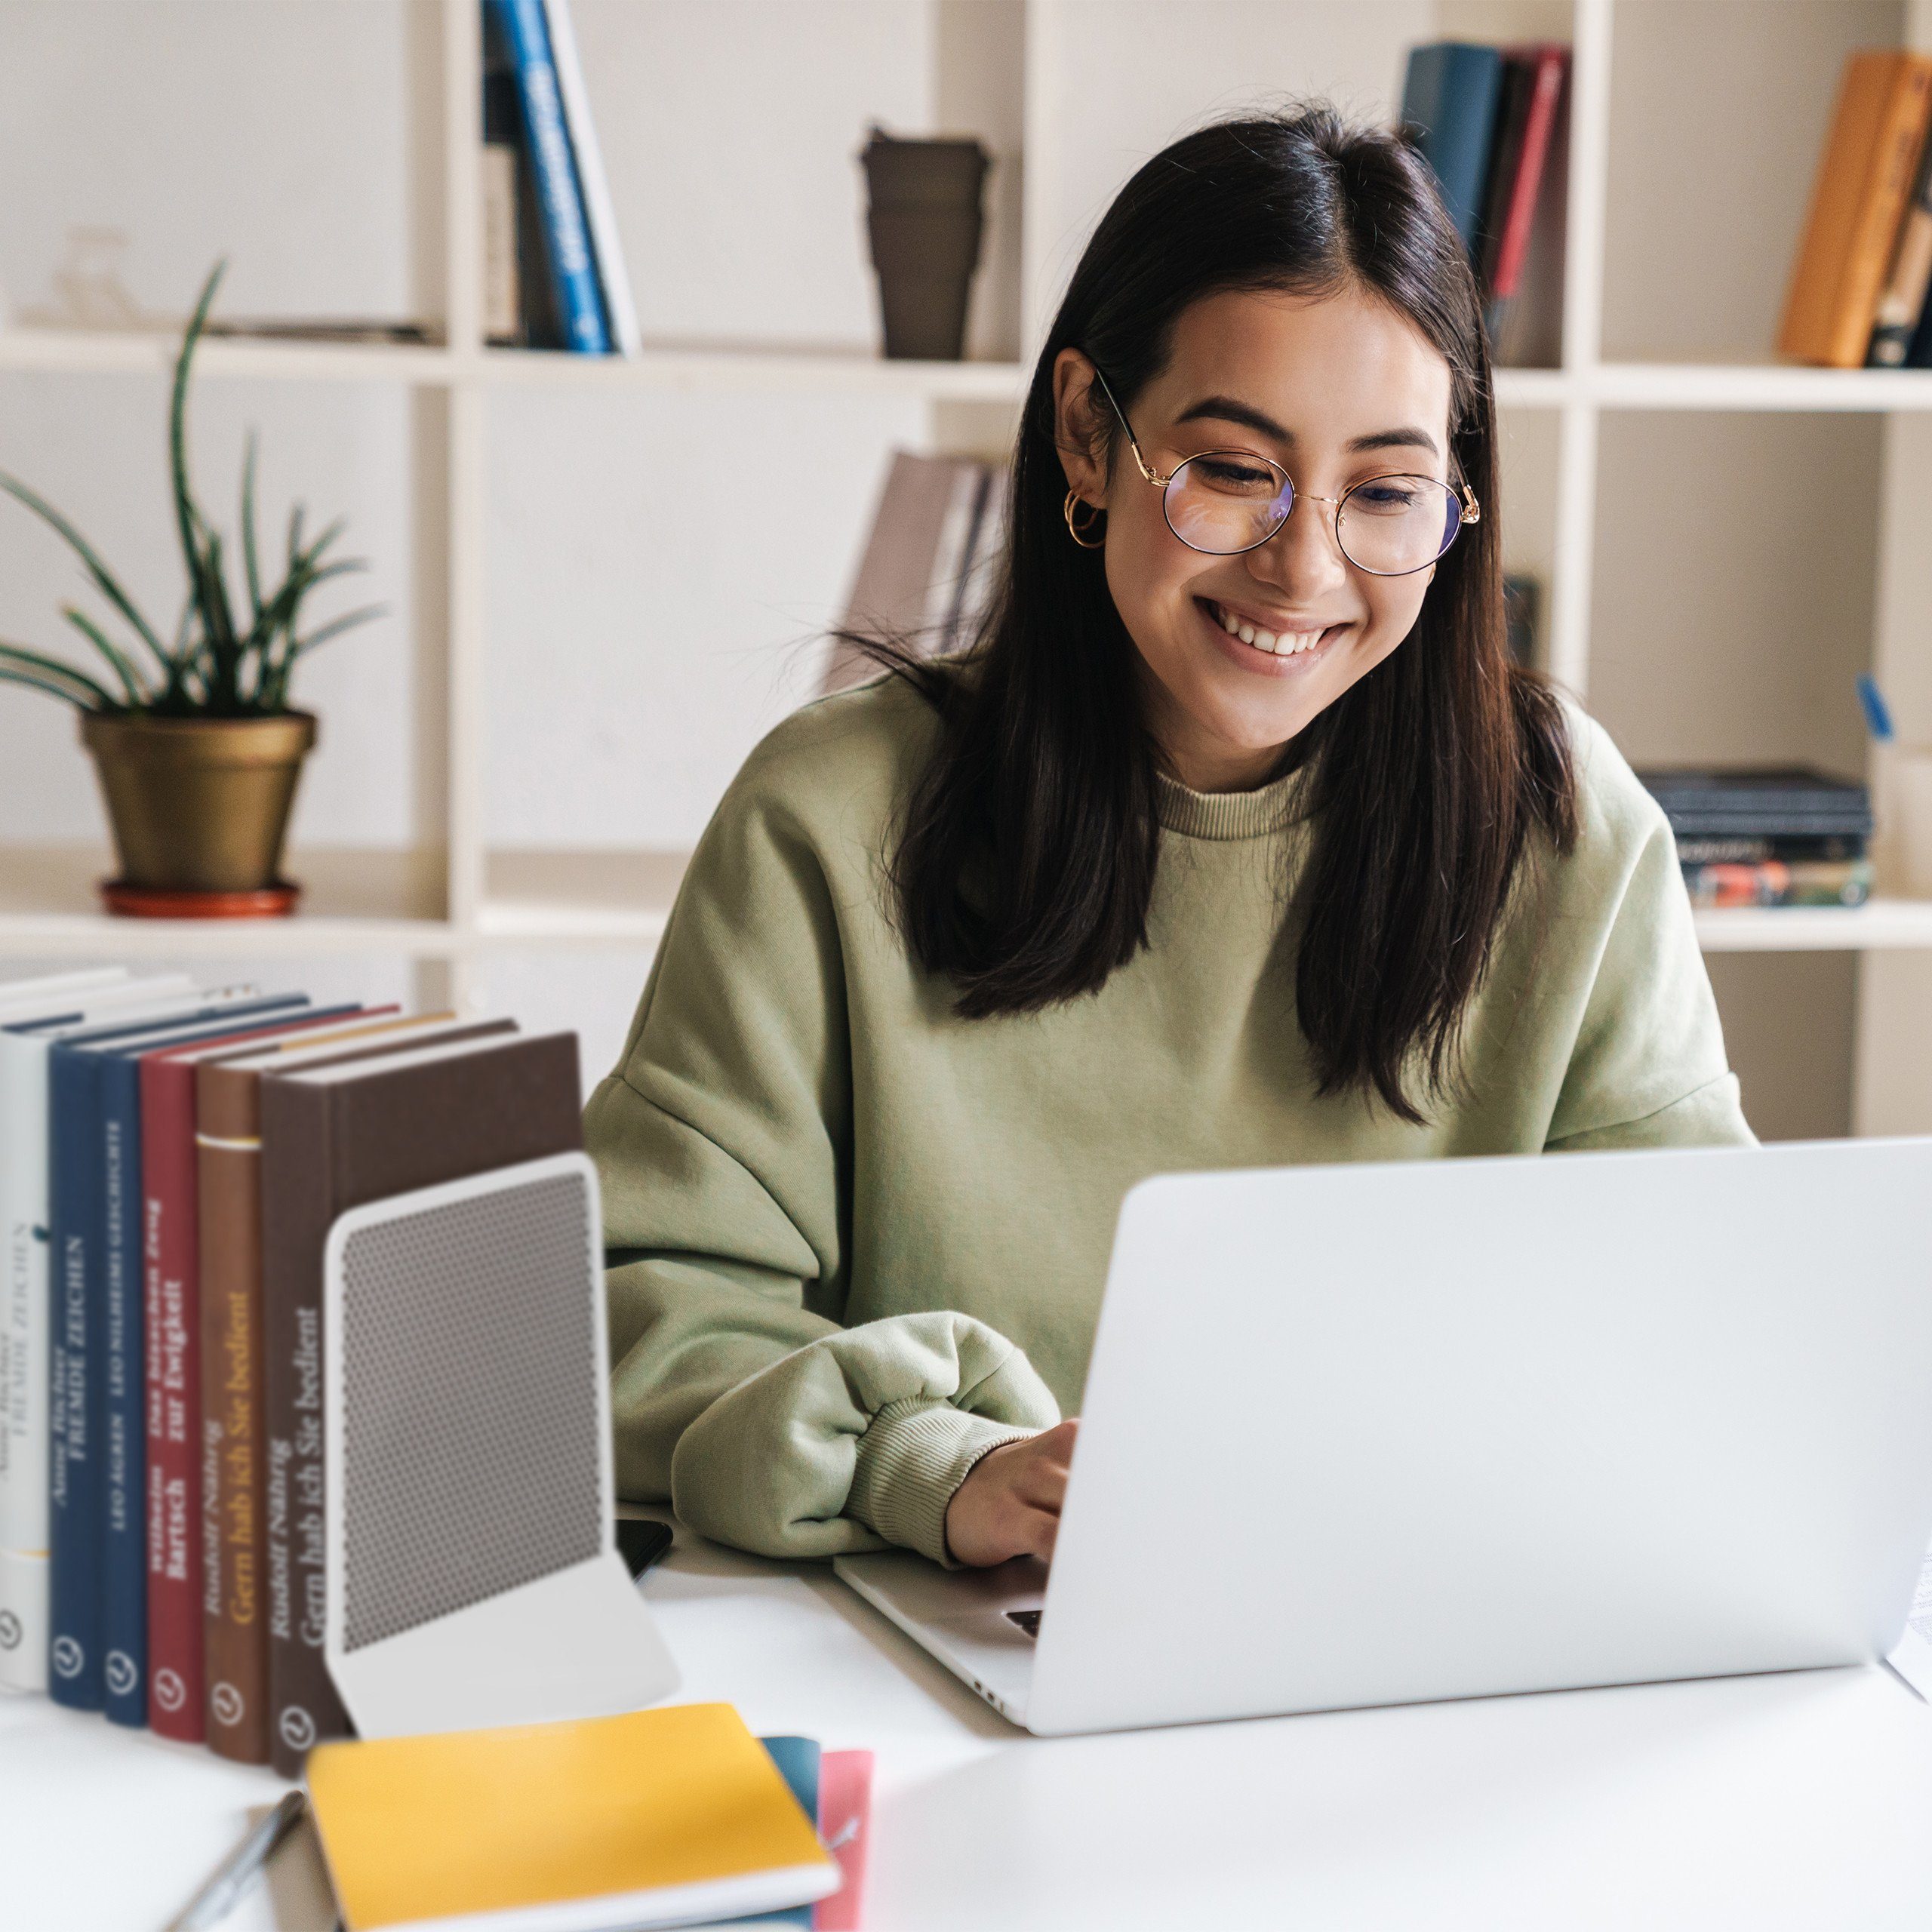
<point>724,1151</point>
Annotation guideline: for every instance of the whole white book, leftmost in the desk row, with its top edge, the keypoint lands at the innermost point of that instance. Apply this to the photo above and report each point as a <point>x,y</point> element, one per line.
<point>26,1290</point>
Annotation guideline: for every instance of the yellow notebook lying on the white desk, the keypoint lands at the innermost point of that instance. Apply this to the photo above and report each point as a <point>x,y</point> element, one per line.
<point>658,1817</point>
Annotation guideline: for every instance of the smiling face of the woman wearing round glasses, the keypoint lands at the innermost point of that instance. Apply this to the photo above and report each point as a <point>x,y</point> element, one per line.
<point>1334,389</point>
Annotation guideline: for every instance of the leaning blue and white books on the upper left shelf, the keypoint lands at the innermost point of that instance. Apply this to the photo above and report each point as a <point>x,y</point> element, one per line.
<point>554,271</point>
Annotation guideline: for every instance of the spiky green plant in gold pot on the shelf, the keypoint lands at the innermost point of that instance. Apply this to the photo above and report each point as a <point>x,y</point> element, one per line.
<point>194,735</point>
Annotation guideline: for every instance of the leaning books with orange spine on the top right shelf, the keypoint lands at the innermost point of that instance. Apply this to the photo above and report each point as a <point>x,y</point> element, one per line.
<point>1860,285</point>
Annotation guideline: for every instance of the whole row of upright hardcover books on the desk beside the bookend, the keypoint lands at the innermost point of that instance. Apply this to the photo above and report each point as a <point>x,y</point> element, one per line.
<point>171,1164</point>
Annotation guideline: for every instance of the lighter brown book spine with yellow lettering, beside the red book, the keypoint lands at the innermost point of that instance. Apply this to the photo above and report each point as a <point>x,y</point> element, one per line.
<point>229,1214</point>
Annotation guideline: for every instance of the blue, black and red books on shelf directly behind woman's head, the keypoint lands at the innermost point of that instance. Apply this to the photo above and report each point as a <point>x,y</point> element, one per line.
<point>1494,127</point>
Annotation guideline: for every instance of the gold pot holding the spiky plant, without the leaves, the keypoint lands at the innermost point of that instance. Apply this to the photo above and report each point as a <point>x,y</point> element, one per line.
<point>198,805</point>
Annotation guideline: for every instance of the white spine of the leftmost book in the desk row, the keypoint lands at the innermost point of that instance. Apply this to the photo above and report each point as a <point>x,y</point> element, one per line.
<point>24,1222</point>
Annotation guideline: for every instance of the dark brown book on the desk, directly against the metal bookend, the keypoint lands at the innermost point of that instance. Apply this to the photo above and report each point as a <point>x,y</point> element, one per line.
<point>335,1139</point>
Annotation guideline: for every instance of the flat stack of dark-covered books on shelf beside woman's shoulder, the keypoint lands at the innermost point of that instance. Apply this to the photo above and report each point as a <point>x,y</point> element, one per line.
<point>1771,838</point>
